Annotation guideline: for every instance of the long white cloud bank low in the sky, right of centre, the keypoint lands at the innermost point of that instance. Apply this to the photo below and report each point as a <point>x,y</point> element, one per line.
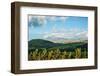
<point>67,35</point>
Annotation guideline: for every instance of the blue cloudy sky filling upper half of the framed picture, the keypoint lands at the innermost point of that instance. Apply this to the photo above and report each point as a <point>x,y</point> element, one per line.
<point>57,27</point>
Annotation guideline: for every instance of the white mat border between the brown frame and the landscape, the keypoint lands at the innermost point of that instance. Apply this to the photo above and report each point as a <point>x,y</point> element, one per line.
<point>25,64</point>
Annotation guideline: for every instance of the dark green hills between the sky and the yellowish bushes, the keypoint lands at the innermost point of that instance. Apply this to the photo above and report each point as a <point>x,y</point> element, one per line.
<point>40,43</point>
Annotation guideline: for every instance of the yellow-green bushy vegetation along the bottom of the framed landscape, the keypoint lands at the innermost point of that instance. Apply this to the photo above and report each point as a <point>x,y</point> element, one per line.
<point>56,53</point>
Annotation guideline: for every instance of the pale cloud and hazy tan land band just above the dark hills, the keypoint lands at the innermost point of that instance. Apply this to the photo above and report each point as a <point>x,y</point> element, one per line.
<point>64,37</point>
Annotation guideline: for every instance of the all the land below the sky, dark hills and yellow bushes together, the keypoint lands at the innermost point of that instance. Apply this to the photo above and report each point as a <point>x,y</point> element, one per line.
<point>39,49</point>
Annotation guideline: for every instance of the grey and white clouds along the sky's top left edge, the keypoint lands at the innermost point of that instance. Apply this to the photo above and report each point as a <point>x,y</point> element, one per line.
<point>36,21</point>
